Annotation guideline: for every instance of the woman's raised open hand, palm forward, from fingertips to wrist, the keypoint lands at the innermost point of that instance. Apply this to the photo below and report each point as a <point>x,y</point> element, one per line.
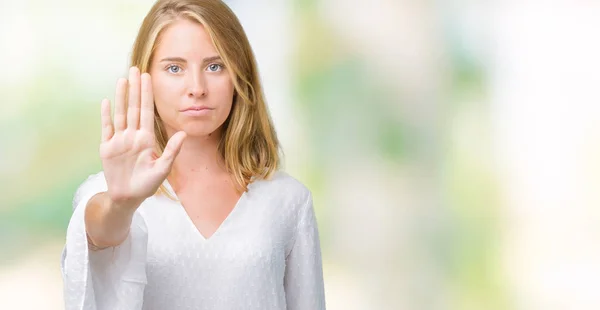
<point>132,170</point>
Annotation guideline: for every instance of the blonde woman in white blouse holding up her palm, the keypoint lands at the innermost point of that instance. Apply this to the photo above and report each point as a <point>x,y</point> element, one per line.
<point>190,210</point>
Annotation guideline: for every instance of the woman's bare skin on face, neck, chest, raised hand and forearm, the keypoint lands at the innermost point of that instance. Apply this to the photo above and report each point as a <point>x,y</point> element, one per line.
<point>185,72</point>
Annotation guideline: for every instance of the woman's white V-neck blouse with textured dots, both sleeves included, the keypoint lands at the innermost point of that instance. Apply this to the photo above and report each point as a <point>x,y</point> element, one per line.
<point>265,255</point>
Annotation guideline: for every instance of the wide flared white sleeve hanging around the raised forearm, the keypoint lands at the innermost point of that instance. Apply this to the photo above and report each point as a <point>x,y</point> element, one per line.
<point>111,278</point>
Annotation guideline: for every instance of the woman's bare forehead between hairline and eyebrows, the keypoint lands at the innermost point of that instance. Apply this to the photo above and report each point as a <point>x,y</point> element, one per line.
<point>185,38</point>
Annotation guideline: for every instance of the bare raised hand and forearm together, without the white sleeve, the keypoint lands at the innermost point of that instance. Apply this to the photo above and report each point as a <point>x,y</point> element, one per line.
<point>131,169</point>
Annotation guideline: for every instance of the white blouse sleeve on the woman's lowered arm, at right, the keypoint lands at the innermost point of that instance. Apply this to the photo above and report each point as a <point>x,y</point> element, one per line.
<point>303,282</point>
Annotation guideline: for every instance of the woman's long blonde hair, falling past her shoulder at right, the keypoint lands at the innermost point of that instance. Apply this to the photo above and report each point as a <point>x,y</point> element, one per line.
<point>249,144</point>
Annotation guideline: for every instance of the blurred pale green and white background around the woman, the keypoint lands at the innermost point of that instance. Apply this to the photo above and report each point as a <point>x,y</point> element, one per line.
<point>452,147</point>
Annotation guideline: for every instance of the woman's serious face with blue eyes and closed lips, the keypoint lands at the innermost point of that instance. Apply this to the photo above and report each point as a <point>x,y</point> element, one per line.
<point>193,90</point>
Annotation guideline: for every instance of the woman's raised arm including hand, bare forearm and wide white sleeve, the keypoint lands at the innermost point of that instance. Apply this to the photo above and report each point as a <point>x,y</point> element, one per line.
<point>105,205</point>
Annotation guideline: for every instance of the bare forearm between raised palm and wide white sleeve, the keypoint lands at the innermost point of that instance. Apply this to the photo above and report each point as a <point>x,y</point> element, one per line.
<point>107,223</point>
